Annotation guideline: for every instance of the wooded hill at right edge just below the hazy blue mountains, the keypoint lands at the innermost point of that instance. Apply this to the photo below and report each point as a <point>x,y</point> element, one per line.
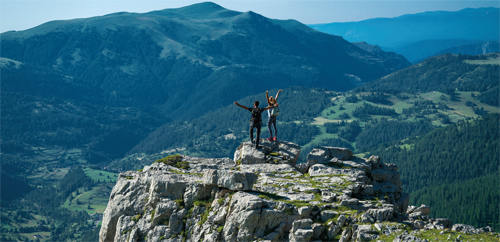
<point>446,73</point>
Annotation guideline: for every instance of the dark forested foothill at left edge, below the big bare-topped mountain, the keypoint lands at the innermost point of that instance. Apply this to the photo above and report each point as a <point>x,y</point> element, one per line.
<point>42,107</point>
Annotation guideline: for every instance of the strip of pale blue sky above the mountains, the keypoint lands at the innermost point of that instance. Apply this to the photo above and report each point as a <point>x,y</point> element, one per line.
<point>24,14</point>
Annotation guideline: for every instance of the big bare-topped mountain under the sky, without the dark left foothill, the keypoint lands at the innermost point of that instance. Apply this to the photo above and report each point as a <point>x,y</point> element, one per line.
<point>191,60</point>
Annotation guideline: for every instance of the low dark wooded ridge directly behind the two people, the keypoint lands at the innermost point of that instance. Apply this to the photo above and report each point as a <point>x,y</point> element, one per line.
<point>221,131</point>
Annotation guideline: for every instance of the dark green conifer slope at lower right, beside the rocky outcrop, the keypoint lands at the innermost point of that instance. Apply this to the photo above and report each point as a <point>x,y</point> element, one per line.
<point>458,164</point>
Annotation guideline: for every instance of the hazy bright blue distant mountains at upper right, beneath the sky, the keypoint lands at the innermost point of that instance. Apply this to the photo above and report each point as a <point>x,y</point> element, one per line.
<point>419,36</point>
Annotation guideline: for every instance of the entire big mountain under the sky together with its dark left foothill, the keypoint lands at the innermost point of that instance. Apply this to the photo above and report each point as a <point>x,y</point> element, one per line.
<point>172,64</point>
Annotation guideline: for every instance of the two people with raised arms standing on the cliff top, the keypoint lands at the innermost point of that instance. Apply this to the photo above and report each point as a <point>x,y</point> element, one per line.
<point>256,120</point>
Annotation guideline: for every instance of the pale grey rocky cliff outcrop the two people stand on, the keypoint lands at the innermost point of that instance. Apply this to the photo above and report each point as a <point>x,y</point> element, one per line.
<point>264,195</point>
